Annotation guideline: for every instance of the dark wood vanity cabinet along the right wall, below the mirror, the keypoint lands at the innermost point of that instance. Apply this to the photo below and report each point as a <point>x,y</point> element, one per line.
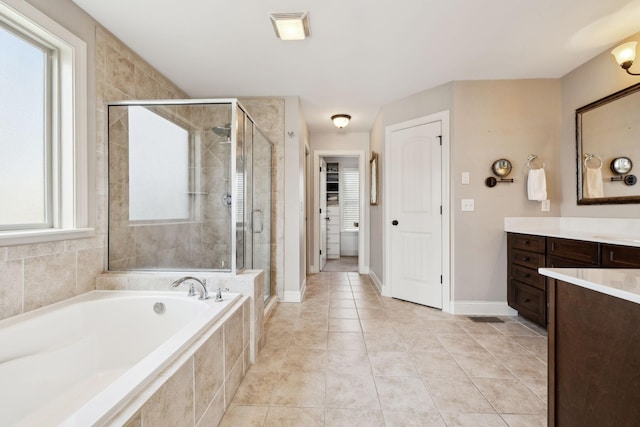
<point>527,290</point>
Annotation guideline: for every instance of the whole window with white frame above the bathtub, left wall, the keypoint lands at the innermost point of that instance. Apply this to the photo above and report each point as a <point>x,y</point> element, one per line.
<point>43,154</point>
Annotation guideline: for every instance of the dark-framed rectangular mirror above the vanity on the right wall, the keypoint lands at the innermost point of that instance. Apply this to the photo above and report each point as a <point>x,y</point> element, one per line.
<point>608,129</point>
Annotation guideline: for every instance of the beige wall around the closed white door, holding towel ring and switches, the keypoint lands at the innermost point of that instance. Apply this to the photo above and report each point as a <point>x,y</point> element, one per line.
<point>489,120</point>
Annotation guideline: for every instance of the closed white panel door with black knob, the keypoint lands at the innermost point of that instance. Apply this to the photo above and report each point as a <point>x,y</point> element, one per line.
<point>415,165</point>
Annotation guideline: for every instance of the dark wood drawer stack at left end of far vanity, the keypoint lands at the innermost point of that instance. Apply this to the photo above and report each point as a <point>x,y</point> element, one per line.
<point>526,289</point>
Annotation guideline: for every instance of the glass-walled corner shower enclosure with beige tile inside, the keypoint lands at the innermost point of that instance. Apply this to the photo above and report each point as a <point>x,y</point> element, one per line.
<point>190,188</point>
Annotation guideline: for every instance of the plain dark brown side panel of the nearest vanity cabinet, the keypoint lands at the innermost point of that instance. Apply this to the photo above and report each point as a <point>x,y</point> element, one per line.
<point>594,367</point>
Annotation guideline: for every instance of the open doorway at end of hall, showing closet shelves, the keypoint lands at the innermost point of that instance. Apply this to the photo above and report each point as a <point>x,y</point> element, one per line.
<point>340,212</point>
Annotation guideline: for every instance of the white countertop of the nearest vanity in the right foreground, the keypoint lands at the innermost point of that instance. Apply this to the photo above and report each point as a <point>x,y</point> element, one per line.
<point>619,283</point>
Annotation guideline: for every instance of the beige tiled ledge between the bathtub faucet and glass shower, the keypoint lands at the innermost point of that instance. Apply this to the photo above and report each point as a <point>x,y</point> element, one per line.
<point>249,283</point>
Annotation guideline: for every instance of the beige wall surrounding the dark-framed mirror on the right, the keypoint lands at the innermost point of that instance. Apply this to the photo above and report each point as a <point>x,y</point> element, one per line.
<point>595,79</point>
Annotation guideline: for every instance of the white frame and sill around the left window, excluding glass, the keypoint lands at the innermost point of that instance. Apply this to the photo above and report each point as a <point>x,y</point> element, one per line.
<point>69,175</point>
